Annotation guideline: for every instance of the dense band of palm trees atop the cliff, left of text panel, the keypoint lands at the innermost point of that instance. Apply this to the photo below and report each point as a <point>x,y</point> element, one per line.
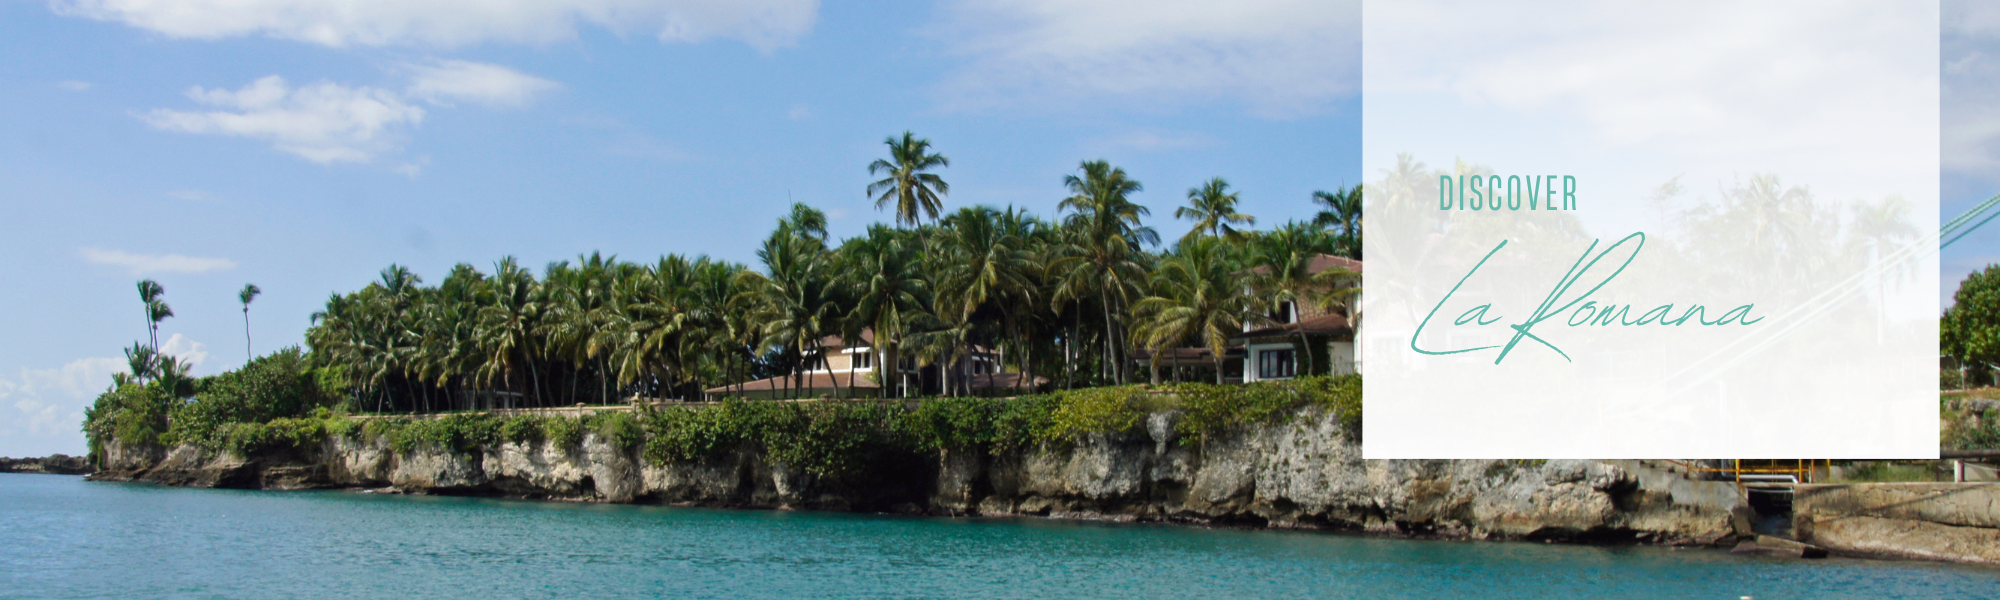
<point>1069,299</point>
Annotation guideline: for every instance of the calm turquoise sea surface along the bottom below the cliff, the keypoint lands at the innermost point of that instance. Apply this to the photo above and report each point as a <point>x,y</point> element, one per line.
<point>69,539</point>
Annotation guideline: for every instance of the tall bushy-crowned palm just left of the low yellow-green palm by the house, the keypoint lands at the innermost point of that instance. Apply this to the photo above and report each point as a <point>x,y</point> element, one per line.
<point>1103,255</point>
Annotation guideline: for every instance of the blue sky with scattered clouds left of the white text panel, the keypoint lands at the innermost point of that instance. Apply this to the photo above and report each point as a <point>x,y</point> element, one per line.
<point>305,149</point>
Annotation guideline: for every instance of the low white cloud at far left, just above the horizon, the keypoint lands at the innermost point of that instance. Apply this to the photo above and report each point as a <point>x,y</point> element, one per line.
<point>43,409</point>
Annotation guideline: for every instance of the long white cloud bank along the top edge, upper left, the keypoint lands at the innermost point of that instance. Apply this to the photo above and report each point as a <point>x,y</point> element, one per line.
<point>765,25</point>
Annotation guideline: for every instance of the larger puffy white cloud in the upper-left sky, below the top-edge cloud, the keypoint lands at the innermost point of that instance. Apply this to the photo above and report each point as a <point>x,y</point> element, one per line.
<point>325,123</point>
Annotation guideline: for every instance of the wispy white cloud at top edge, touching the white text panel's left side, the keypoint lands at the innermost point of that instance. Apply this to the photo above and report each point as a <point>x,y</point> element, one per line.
<point>1277,57</point>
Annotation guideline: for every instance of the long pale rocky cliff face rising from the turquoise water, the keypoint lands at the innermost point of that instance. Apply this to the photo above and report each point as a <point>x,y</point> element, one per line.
<point>1305,473</point>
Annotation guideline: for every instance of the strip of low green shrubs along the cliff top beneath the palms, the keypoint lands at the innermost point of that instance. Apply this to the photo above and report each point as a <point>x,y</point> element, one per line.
<point>831,437</point>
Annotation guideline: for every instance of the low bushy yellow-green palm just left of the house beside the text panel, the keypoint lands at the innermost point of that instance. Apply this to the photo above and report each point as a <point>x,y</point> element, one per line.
<point>1197,295</point>
